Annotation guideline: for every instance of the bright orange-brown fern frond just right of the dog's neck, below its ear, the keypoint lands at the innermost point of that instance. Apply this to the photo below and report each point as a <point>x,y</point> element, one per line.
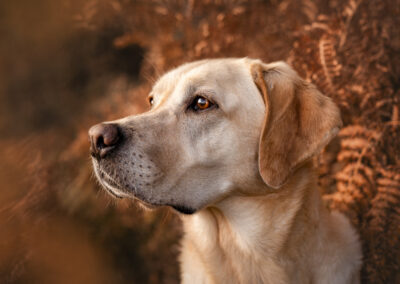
<point>355,180</point>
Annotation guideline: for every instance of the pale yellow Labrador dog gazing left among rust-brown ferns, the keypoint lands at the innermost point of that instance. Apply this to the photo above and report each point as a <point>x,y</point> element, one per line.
<point>228,143</point>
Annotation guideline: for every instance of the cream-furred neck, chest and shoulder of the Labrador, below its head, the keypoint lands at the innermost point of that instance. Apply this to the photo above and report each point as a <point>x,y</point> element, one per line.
<point>284,237</point>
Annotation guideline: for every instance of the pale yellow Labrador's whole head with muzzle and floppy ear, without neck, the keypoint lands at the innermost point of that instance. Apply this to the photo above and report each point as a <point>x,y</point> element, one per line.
<point>215,127</point>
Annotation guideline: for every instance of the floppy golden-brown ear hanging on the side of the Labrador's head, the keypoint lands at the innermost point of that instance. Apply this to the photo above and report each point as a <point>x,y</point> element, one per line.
<point>299,121</point>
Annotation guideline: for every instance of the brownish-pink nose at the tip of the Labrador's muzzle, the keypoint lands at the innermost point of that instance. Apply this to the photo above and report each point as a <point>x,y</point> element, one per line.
<point>103,138</point>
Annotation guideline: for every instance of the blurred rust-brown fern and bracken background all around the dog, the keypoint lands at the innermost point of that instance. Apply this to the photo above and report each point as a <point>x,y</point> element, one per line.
<point>68,64</point>
